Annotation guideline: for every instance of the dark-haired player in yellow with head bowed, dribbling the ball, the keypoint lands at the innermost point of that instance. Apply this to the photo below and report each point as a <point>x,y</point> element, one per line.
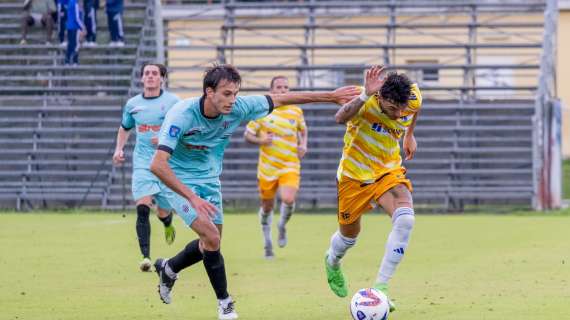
<point>370,172</point>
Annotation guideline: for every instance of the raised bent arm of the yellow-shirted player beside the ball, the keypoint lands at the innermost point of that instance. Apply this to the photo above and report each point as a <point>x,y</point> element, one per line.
<point>372,83</point>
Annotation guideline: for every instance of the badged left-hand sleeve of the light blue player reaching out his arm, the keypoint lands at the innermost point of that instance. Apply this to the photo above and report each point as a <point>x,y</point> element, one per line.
<point>173,128</point>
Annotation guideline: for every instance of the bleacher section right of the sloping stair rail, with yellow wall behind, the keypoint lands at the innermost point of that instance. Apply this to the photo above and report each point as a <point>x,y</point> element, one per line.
<point>477,63</point>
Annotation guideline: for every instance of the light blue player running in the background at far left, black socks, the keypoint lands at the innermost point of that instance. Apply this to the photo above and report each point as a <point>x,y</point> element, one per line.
<point>145,112</point>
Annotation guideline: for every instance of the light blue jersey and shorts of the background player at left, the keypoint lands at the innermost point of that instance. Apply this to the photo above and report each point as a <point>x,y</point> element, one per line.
<point>147,114</point>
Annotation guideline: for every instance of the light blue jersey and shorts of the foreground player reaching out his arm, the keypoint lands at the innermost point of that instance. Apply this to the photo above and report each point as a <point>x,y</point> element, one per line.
<point>197,144</point>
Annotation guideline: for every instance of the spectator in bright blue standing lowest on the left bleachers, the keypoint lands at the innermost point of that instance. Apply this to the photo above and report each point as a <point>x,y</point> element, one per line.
<point>75,28</point>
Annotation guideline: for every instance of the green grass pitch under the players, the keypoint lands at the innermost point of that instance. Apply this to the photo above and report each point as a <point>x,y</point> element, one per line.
<point>85,266</point>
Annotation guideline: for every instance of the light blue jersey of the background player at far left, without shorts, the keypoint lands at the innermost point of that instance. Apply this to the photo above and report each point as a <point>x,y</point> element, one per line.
<point>146,114</point>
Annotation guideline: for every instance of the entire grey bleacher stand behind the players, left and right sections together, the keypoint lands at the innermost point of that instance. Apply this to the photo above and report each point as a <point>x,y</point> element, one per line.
<point>482,72</point>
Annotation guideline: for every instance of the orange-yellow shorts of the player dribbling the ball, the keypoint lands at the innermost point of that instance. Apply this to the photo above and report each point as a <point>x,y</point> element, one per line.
<point>355,198</point>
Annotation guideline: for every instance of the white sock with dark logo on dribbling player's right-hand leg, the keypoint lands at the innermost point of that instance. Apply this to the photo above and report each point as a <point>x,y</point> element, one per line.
<point>402,224</point>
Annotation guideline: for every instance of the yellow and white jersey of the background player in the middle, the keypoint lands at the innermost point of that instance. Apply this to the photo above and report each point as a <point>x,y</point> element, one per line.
<point>281,155</point>
